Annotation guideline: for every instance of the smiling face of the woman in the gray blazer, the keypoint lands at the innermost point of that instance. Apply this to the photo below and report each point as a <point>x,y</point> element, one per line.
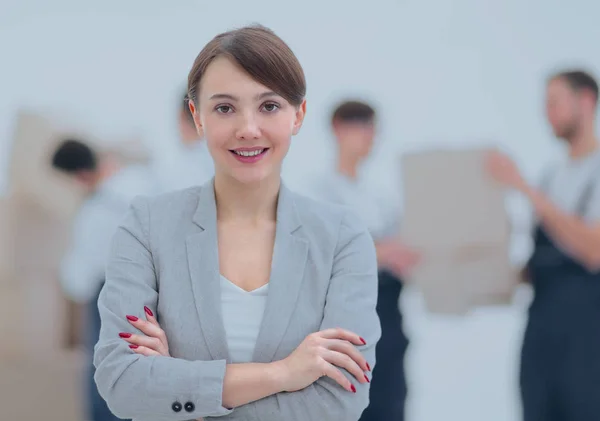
<point>247,126</point>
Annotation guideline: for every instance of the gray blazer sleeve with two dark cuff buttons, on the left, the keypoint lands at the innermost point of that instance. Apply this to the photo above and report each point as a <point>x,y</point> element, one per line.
<point>135,386</point>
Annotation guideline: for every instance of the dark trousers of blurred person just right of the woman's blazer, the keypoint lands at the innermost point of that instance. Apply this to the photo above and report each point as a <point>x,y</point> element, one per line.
<point>388,384</point>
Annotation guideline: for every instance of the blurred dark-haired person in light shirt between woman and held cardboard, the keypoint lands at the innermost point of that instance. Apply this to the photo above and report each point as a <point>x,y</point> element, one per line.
<point>354,127</point>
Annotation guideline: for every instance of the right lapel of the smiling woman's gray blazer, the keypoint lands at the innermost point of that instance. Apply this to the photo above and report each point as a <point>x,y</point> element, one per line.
<point>287,273</point>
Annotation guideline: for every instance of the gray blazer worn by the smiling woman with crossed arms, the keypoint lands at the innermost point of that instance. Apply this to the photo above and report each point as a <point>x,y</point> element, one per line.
<point>164,255</point>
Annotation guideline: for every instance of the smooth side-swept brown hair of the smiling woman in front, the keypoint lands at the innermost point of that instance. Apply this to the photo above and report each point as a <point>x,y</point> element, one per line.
<point>261,54</point>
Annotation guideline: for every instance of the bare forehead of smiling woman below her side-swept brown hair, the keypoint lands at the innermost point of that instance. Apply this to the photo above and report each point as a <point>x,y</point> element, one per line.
<point>222,75</point>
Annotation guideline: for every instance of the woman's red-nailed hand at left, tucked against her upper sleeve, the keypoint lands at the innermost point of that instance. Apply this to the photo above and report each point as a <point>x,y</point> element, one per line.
<point>153,342</point>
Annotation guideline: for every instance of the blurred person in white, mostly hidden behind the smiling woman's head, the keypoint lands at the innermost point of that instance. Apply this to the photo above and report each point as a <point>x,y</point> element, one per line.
<point>193,164</point>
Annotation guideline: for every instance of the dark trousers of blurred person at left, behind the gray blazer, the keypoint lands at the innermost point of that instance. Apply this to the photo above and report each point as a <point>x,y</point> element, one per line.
<point>96,408</point>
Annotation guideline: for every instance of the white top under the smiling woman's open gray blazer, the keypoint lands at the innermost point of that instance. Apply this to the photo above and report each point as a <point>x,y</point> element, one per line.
<point>242,316</point>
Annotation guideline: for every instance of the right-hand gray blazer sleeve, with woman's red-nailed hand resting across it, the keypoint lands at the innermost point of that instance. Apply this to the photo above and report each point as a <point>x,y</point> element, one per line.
<point>350,304</point>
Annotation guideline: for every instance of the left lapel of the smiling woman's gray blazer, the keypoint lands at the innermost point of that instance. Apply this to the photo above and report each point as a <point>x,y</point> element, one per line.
<point>203,262</point>
